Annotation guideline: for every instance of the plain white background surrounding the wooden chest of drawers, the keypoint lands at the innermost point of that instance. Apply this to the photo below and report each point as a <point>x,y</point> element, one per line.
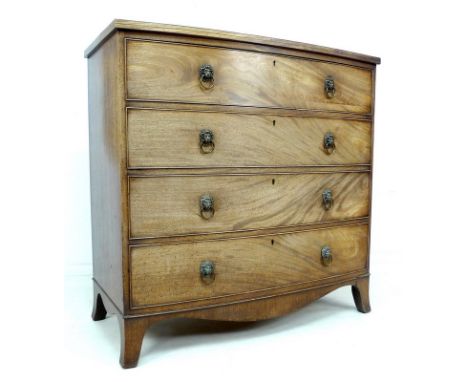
<point>418,326</point>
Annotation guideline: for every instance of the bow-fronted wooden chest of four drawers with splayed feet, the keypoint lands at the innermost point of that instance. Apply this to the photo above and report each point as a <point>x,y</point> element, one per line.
<point>230,175</point>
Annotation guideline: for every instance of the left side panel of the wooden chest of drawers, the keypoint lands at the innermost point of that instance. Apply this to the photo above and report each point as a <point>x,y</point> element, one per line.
<point>108,166</point>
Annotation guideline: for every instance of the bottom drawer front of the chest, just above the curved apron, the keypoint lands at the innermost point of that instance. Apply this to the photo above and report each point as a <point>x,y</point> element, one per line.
<point>164,274</point>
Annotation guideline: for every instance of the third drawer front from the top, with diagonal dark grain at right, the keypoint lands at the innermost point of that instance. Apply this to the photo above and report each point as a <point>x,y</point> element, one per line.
<point>171,205</point>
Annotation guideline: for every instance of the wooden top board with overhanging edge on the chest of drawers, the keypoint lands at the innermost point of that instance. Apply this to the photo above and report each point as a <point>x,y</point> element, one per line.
<point>222,35</point>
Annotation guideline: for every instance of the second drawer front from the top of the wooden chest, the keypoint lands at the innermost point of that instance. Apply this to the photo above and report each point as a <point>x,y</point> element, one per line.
<point>174,139</point>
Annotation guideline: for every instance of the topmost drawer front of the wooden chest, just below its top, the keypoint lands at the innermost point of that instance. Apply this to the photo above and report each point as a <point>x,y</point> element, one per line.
<point>170,72</point>
